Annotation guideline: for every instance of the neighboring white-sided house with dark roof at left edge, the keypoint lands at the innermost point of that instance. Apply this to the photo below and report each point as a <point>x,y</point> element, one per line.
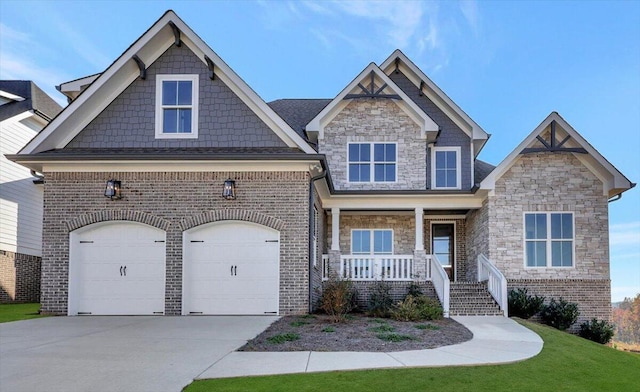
<point>24,111</point>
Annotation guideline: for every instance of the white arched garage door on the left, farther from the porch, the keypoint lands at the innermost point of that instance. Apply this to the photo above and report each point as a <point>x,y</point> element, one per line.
<point>117,268</point>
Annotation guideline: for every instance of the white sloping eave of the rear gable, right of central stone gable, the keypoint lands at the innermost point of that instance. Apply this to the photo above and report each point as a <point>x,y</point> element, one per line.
<point>437,96</point>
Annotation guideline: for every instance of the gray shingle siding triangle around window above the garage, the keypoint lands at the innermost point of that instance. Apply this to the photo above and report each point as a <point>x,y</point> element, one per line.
<point>224,120</point>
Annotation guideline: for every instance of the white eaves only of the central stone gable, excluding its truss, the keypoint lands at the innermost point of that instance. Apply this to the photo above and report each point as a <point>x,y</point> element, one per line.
<point>427,125</point>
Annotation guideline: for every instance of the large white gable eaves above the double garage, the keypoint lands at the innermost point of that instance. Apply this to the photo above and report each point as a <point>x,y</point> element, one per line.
<point>124,70</point>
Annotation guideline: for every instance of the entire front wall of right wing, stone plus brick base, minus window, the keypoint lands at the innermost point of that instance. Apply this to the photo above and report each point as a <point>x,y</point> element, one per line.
<point>548,182</point>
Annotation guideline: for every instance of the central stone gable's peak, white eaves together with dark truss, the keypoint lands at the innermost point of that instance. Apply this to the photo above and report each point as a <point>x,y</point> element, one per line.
<point>372,83</point>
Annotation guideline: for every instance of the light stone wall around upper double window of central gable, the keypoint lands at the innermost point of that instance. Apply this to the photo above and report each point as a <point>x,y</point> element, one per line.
<point>375,120</point>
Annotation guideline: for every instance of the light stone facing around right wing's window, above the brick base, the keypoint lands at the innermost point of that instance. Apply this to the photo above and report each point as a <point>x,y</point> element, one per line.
<point>549,182</point>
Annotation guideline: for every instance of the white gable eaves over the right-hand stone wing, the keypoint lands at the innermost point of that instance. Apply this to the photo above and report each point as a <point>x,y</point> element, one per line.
<point>613,180</point>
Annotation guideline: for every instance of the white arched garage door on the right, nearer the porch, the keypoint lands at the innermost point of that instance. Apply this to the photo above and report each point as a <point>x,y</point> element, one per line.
<point>231,267</point>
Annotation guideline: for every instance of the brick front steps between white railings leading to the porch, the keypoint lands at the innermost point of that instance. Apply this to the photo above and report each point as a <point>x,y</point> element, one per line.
<point>472,299</point>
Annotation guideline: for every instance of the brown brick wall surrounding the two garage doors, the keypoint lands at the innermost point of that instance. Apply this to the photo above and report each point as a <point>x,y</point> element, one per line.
<point>172,201</point>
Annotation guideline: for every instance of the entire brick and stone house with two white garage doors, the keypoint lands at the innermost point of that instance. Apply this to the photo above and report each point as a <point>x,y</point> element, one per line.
<point>172,188</point>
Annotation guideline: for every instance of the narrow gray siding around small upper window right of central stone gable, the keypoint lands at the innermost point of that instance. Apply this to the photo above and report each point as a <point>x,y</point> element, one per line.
<point>450,134</point>
